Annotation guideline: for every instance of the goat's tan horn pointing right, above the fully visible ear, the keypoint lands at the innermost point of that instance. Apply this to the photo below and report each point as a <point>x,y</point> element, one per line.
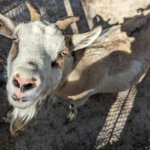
<point>65,22</point>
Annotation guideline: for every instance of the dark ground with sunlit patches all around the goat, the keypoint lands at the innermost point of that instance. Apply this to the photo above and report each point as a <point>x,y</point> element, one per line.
<point>118,121</point>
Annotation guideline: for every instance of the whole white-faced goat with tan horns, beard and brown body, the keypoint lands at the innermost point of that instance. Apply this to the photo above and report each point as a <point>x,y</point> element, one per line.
<point>44,60</point>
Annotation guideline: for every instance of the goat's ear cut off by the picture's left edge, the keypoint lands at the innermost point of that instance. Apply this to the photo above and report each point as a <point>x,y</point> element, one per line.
<point>7,26</point>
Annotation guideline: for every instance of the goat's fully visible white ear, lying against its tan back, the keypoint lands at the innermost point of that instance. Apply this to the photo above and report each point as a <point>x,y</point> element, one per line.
<point>80,41</point>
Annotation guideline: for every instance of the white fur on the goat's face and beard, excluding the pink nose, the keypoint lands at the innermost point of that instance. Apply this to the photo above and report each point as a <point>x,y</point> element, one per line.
<point>41,44</point>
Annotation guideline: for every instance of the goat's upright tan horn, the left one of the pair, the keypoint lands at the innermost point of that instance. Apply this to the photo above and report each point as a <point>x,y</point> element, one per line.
<point>33,12</point>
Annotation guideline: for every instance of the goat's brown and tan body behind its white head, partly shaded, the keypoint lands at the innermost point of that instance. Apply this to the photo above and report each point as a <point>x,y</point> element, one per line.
<point>114,62</point>
